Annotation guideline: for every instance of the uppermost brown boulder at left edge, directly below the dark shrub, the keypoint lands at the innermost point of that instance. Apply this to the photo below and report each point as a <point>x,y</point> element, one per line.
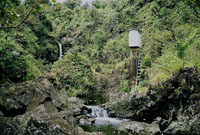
<point>16,100</point>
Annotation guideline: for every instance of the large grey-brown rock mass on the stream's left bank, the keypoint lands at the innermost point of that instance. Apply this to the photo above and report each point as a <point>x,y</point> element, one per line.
<point>35,108</point>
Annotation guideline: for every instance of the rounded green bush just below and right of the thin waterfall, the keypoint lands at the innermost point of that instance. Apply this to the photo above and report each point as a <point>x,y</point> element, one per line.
<point>74,74</point>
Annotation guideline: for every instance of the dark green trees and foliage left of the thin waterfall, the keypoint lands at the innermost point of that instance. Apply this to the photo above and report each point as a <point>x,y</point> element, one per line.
<point>26,49</point>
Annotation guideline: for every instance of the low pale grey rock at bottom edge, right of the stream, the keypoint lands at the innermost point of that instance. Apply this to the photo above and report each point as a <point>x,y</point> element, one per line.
<point>137,128</point>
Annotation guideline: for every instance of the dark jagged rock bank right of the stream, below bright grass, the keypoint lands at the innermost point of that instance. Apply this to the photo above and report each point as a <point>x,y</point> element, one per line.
<point>174,104</point>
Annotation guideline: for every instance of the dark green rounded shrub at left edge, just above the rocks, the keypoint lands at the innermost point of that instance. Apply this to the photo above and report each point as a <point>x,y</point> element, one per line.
<point>15,66</point>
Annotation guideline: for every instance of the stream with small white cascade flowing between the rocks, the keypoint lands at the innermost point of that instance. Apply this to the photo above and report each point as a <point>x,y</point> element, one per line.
<point>98,119</point>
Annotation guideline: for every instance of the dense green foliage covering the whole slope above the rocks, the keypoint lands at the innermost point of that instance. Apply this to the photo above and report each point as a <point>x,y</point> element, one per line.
<point>95,42</point>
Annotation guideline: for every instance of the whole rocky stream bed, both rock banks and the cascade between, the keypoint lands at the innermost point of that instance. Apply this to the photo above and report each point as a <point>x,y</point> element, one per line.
<point>38,108</point>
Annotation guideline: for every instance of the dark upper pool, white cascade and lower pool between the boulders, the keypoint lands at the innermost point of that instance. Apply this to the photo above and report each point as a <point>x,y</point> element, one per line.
<point>102,123</point>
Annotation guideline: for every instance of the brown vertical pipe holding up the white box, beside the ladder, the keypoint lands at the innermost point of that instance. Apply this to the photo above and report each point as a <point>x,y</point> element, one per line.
<point>133,66</point>
